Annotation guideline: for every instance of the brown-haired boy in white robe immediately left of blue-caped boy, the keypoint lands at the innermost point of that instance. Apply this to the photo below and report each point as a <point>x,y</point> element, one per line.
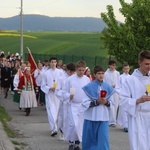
<point>74,92</point>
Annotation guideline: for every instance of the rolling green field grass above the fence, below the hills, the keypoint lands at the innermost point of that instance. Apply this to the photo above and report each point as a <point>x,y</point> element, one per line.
<point>62,43</point>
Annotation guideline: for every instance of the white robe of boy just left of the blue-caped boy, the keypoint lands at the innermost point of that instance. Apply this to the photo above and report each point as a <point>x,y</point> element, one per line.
<point>74,114</point>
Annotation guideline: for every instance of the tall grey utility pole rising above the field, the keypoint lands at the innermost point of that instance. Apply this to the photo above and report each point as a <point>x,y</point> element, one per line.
<point>21,29</point>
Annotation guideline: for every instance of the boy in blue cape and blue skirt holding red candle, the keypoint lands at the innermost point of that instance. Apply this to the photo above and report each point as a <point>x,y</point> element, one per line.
<point>96,103</point>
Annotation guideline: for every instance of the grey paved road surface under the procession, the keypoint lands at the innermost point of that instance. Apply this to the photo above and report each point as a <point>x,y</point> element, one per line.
<point>34,129</point>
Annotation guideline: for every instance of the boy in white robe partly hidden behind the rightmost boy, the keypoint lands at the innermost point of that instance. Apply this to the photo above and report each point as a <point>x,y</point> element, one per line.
<point>122,119</point>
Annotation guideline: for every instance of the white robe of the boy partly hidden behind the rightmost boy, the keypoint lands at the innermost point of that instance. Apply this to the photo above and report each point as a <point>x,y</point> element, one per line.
<point>122,119</point>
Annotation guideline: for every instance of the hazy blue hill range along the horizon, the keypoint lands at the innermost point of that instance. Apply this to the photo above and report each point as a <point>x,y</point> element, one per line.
<point>45,23</point>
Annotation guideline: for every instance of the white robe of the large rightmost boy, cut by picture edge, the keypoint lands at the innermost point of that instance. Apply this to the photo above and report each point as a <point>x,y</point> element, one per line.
<point>139,114</point>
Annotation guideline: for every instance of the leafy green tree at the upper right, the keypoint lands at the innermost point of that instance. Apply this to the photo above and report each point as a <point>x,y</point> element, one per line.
<point>125,40</point>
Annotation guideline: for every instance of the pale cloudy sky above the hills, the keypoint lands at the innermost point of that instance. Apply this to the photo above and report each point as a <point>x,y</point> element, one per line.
<point>60,8</point>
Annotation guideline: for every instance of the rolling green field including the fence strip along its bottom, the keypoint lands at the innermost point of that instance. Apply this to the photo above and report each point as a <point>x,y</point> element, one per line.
<point>68,46</point>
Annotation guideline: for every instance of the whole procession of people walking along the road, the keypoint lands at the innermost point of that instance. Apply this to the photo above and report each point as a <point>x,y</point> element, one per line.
<point>80,105</point>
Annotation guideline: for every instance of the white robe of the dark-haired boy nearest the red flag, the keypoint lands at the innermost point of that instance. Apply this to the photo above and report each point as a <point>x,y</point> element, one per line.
<point>52,102</point>
